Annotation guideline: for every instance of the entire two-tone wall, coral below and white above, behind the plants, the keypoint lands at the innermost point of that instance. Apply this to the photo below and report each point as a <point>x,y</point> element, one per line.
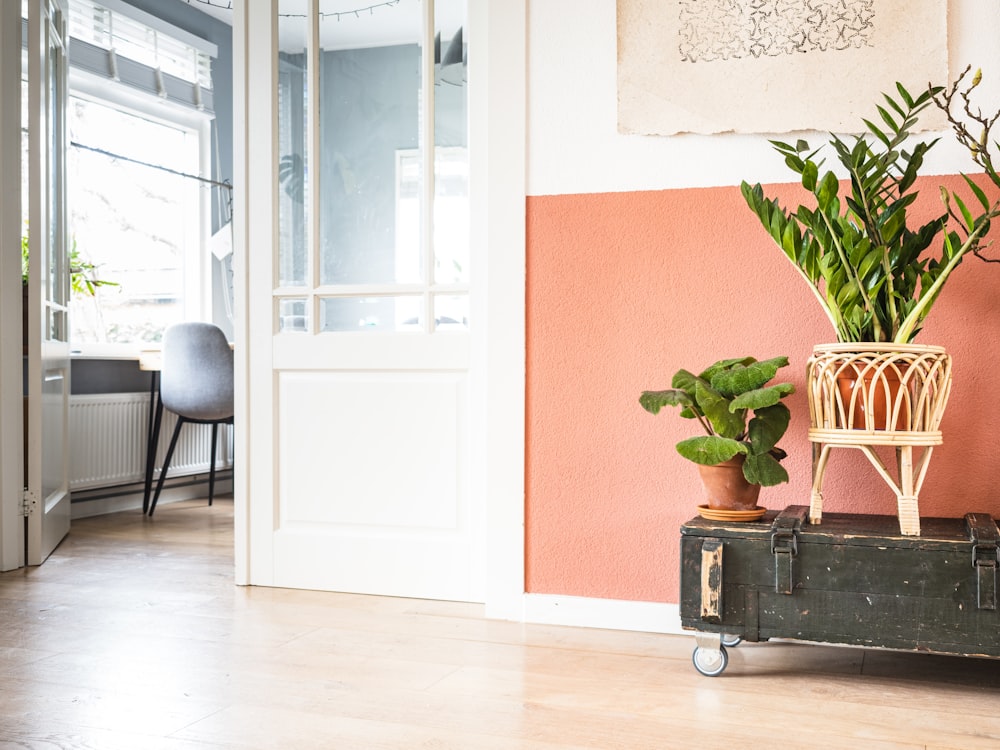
<point>641,259</point>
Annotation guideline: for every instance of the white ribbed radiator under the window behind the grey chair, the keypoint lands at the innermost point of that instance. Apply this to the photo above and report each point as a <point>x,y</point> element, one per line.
<point>107,441</point>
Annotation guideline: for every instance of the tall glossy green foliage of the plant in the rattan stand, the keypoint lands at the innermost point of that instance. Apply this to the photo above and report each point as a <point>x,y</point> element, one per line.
<point>865,264</point>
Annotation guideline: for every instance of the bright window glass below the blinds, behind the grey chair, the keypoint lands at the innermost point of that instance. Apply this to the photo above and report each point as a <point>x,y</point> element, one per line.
<point>132,223</point>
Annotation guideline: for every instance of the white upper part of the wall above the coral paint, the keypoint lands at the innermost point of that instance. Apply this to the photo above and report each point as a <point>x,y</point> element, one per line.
<point>573,143</point>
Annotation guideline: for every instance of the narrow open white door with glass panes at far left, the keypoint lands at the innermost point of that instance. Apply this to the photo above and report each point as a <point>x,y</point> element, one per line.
<point>48,325</point>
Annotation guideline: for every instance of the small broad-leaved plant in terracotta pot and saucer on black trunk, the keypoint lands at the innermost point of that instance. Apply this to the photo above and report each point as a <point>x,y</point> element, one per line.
<point>735,457</point>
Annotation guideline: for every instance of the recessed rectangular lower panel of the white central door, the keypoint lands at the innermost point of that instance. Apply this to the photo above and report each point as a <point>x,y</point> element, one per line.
<point>388,469</point>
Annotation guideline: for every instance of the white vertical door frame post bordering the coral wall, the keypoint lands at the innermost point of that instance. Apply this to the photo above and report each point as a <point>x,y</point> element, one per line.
<point>497,145</point>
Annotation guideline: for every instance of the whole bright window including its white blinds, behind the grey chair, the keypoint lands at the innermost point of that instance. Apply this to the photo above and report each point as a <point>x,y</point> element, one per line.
<point>139,116</point>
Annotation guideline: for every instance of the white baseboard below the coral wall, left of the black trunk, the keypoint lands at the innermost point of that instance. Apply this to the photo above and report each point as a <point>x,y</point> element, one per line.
<point>609,614</point>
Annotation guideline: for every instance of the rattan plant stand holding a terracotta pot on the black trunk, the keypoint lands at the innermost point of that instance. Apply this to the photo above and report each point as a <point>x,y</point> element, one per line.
<point>899,401</point>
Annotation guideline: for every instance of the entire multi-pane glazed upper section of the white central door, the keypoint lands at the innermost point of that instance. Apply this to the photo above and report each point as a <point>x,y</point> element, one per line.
<point>373,167</point>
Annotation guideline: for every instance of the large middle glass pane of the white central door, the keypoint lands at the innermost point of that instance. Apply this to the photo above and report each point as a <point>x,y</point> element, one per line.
<point>369,111</point>
